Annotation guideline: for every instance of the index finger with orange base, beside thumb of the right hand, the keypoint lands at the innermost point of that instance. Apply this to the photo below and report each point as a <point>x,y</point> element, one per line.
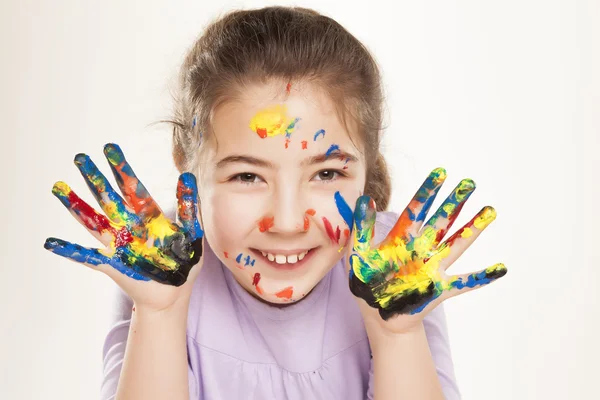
<point>411,219</point>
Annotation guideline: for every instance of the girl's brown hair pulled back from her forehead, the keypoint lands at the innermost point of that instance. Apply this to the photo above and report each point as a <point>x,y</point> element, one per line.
<point>292,44</point>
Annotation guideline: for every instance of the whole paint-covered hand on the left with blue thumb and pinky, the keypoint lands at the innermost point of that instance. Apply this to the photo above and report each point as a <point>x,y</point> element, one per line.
<point>154,260</point>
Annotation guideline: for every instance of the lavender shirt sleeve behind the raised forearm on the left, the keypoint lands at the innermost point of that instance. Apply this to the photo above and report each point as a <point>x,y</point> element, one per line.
<point>113,351</point>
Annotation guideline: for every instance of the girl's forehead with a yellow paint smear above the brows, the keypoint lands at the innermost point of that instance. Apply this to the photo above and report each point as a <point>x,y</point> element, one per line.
<point>281,122</point>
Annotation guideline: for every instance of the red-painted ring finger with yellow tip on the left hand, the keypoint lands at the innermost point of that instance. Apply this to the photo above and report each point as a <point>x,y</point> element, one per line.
<point>97,224</point>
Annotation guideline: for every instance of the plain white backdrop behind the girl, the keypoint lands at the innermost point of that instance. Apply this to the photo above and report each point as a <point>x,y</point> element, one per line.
<point>505,93</point>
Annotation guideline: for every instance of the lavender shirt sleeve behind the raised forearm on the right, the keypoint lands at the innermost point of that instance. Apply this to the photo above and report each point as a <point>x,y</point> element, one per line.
<point>436,332</point>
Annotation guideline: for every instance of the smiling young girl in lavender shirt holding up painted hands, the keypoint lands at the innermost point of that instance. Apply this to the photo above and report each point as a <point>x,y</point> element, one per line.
<point>281,277</point>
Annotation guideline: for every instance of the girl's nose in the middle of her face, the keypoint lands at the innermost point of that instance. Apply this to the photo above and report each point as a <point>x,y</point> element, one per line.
<point>288,210</point>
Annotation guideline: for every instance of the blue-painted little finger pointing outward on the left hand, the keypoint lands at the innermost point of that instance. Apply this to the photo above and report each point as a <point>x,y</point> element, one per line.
<point>90,257</point>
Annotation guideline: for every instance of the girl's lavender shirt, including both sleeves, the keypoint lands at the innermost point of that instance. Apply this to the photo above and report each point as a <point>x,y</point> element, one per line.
<point>241,348</point>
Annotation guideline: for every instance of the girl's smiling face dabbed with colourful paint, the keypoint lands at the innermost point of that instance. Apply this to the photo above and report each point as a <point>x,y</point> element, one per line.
<point>278,189</point>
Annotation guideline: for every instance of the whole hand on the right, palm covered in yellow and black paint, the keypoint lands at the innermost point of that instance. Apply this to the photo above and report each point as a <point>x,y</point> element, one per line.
<point>406,272</point>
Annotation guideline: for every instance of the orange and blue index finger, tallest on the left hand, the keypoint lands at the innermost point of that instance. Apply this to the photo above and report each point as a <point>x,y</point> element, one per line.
<point>133,190</point>
